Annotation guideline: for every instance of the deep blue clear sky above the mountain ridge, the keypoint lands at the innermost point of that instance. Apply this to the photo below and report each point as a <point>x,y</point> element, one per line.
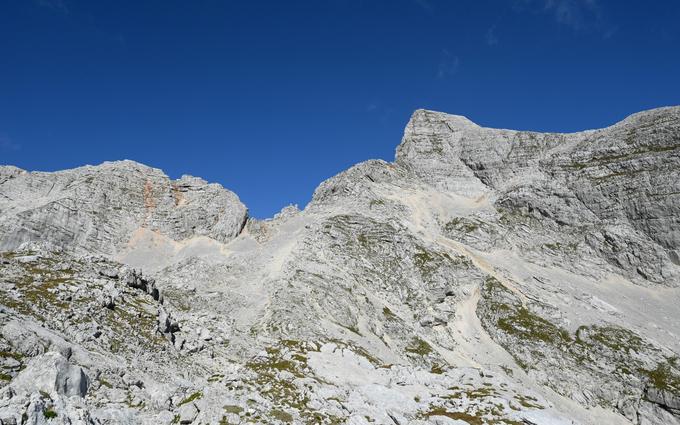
<point>269,98</point>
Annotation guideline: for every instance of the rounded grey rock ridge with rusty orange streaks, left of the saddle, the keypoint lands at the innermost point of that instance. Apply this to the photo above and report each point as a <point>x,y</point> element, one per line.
<point>97,209</point>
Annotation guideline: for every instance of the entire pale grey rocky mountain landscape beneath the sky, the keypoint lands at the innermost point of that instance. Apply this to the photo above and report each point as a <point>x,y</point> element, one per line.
<point>485,276</point>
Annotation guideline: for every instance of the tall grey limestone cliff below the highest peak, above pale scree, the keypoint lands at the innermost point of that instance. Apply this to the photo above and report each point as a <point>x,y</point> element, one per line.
<point>618,187</point>
